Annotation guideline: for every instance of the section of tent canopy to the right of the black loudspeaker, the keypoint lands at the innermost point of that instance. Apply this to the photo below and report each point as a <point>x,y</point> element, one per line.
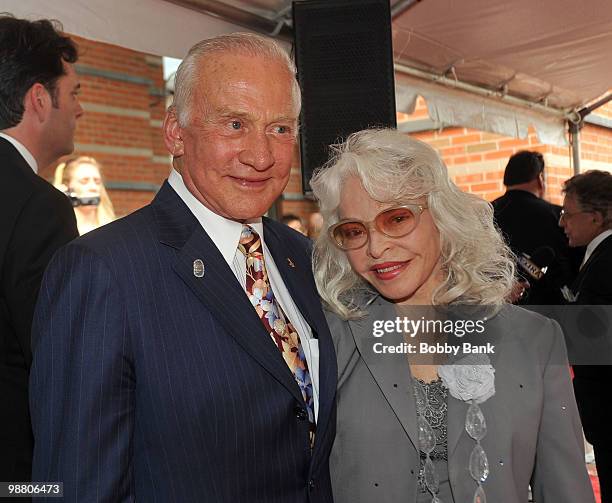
<point>547,57</point>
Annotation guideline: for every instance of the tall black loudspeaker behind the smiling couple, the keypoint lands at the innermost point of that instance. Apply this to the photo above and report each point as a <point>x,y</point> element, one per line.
<point>344,58</point>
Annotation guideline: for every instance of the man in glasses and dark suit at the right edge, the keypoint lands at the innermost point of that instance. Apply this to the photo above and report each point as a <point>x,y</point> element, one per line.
<point>587,221</point>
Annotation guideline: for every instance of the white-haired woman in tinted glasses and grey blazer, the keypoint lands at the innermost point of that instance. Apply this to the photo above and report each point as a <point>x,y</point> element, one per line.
<point>414,426</point>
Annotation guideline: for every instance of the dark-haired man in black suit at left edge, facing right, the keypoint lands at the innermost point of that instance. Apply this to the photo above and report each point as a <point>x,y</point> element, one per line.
<point>38,113</point>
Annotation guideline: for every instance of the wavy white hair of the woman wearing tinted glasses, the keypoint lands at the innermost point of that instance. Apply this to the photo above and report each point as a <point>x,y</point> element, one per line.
<point>395,168</point>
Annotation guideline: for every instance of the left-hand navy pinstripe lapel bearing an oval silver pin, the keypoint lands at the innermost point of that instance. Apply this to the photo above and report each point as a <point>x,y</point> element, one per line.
<point>218,289</point>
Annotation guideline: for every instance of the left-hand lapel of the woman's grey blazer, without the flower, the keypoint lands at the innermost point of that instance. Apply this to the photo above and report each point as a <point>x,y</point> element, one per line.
<point>390,371</point>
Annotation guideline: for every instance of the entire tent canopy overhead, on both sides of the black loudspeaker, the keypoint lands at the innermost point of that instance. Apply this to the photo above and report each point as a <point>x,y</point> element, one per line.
<point>495,65</point>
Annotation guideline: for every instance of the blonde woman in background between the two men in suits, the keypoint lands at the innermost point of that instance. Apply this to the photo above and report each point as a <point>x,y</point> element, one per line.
<point>81,178</point>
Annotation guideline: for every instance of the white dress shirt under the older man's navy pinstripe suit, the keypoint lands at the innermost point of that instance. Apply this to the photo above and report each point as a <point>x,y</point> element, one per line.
<point>225,234</point>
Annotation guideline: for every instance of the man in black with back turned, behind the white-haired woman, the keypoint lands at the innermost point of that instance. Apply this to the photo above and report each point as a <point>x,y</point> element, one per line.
<point>529,223</point>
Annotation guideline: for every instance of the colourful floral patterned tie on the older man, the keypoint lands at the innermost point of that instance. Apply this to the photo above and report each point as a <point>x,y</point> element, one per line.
<point>281,330</point>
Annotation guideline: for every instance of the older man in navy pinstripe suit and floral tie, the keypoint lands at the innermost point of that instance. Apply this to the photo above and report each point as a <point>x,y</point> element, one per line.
<point>177,350</point>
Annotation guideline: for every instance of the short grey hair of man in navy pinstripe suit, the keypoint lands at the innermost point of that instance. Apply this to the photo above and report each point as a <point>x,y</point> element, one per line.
<point>241,43</point>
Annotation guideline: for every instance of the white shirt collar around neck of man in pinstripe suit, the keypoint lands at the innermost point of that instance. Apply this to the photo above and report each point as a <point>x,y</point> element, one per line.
<point>225,233</point>
